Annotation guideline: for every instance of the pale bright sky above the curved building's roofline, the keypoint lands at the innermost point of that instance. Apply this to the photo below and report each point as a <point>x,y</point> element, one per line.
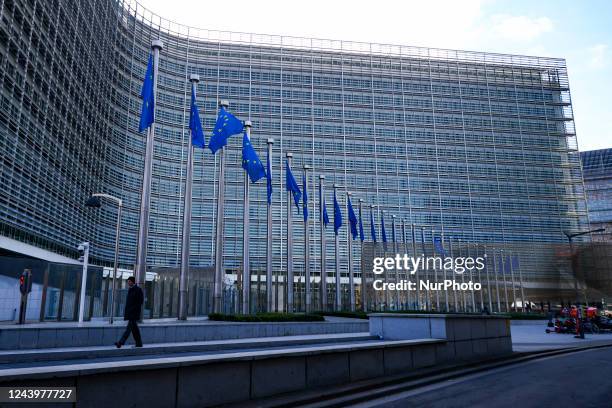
<point>578,31</point>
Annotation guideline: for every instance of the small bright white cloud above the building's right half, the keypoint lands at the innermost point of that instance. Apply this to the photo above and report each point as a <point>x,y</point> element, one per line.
<point>520,28</point>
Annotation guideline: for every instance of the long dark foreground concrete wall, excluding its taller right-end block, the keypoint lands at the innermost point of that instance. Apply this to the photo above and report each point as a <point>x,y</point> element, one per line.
<point>203,381</point>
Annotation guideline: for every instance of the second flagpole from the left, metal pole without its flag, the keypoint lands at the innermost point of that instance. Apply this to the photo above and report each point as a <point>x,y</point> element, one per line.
<point>184,273</point>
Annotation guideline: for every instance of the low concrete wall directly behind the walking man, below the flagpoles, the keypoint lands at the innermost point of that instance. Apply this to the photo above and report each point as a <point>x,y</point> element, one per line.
<point>65,335</point>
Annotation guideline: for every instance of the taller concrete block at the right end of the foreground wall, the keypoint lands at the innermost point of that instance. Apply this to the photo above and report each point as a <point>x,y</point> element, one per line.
<point>467,336</point>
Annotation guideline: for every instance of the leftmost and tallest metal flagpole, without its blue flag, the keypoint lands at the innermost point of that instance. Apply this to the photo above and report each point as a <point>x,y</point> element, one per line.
<point>145,199</point>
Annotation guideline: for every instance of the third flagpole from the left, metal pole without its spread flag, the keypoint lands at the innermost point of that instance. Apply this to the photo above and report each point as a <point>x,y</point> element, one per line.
<point>219,272</point>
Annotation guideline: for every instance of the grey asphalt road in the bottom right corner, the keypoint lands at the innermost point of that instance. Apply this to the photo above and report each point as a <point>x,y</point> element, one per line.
<point>581,379</point>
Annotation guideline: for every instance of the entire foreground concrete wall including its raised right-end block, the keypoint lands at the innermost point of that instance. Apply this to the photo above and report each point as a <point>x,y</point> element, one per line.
<point>408,343</point>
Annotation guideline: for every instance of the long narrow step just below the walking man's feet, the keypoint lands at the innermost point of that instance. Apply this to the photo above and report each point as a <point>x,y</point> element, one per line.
<point>93,352</point>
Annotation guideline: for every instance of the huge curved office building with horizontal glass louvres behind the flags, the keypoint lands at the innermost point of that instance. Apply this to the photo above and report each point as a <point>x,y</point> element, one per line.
<point>478,146</point>
